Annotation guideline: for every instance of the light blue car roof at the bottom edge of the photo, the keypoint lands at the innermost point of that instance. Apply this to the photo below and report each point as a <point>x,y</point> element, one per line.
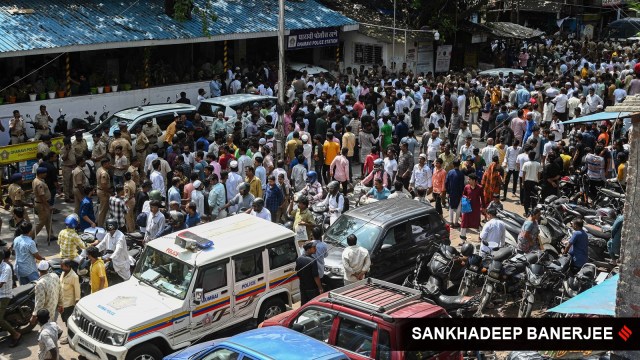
<point>278,342</point>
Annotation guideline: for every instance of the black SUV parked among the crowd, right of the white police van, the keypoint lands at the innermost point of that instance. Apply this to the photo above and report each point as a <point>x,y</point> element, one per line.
<point>394,231</point>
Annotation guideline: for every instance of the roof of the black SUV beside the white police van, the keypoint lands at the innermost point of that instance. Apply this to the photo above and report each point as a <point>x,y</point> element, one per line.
<point>390,211</point>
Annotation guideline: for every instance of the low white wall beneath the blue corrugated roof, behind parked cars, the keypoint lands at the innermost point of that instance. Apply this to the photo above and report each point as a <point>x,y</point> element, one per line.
<point>77,105</point>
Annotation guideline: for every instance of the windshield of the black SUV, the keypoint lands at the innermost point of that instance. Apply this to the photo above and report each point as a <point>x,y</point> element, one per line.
<point>346,225</point>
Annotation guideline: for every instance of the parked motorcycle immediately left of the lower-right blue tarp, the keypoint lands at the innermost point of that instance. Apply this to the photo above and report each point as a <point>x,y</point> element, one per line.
<point>545,279</point>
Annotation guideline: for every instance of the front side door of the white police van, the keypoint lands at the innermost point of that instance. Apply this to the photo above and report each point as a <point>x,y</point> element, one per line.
<point>214,311</point>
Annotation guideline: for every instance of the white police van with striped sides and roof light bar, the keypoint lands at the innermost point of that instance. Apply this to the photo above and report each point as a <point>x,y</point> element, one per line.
<point>189,284</point>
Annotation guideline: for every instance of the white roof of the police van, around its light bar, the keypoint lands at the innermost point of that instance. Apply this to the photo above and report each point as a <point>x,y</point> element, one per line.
<point>230,236</point>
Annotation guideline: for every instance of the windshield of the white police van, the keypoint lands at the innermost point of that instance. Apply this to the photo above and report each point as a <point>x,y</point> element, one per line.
<point>164,272</point>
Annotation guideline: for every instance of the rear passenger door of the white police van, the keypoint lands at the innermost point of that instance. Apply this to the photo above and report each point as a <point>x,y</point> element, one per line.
<point>249,282</point>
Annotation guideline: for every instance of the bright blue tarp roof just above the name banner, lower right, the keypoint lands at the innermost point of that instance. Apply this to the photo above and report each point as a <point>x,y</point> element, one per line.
<point>599,300</point>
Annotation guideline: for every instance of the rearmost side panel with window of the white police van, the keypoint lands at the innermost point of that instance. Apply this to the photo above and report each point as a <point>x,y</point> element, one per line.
<point>282,265</point>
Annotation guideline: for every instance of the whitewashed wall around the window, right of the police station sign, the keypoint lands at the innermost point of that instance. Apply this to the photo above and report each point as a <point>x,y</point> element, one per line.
<point>352,37</point>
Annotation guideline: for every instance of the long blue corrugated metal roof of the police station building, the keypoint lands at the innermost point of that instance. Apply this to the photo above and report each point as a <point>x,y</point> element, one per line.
<point>64,23</point>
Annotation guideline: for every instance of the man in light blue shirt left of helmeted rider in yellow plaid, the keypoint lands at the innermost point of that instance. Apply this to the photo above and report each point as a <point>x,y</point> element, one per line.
<point>26,255</point>
